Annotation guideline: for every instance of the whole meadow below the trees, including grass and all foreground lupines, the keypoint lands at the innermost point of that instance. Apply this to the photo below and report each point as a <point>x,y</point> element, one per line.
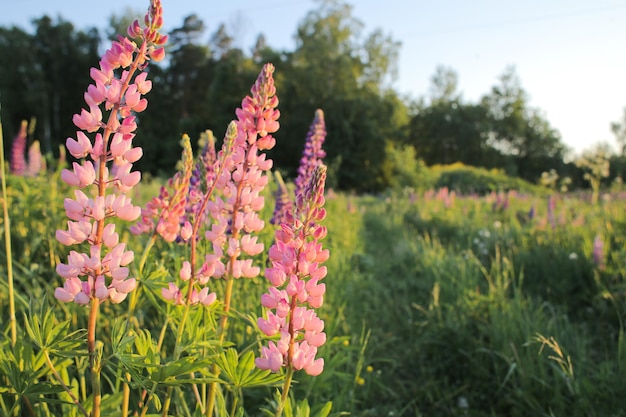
<point>224,291</point>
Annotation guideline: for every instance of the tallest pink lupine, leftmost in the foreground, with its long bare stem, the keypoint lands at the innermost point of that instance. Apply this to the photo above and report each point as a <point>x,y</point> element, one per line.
<point>102,273</point>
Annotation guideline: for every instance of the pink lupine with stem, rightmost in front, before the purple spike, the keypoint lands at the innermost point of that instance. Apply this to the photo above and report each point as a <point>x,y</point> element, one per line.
<point>295,291</point>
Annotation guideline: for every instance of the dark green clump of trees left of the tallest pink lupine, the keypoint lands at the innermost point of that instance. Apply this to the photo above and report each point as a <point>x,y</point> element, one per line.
<point>48,75</point>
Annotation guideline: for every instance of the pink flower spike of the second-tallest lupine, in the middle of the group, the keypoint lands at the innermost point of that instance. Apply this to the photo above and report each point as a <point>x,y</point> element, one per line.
<point>239,175</point>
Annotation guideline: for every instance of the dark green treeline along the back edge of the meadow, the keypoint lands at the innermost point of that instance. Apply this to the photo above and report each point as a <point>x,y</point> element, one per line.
<point>334,66</point>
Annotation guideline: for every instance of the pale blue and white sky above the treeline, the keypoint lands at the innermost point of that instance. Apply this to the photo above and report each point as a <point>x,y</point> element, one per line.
<point>569,54</point>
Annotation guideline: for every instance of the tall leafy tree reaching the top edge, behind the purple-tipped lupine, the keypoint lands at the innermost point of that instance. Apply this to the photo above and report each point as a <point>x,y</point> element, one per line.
<point>333,69</point>
